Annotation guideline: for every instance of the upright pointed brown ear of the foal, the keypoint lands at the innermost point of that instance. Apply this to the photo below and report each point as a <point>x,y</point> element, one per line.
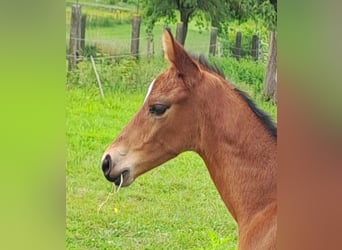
<point>177,56</point>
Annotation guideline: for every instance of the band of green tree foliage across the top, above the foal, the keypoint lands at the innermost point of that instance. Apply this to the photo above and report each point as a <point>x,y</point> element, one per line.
<point>217,12</point>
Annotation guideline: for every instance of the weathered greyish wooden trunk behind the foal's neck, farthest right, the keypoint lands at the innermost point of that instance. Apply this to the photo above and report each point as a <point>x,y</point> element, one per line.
<point>270,86</point>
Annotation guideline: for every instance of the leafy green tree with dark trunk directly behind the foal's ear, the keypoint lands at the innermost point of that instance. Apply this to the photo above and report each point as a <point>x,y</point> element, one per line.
<point>216,11</point>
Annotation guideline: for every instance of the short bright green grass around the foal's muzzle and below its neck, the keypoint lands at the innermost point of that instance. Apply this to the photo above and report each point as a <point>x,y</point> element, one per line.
<point>175,206</point>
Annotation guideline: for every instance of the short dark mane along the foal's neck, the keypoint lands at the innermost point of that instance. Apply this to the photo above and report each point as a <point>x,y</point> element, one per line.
<point>260,114</point>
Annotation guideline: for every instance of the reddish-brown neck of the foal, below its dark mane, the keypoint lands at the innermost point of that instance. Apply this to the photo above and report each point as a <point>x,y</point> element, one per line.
<point>239,153</point>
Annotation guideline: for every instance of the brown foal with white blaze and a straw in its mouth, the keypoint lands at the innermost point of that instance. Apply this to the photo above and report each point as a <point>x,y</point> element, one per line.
<point>192,107</point>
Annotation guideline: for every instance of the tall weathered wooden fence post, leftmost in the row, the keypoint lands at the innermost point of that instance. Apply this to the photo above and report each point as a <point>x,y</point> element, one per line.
<point>74,41</point>
